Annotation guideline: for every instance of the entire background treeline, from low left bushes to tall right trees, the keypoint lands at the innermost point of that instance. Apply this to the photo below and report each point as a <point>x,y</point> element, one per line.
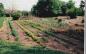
<point>47,8</point>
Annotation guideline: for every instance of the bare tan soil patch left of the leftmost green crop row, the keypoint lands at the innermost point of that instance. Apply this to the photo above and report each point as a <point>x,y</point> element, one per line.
<point>5,33</point>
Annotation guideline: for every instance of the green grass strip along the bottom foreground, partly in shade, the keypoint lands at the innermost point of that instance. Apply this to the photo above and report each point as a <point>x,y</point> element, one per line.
<point>16,48</point>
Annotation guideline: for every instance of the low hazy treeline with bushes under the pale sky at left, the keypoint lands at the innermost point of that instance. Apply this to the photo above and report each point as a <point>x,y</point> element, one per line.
<point>16,14</point>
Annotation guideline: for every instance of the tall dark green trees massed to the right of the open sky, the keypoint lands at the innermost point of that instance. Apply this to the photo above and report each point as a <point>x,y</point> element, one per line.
<point>50,8</point>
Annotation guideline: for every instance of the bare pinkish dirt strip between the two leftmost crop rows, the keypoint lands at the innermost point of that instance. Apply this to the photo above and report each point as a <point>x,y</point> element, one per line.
<point>22,36</point>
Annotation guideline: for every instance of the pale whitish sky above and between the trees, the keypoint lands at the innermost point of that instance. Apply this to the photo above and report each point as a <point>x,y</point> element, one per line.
<point>25,4</point>
